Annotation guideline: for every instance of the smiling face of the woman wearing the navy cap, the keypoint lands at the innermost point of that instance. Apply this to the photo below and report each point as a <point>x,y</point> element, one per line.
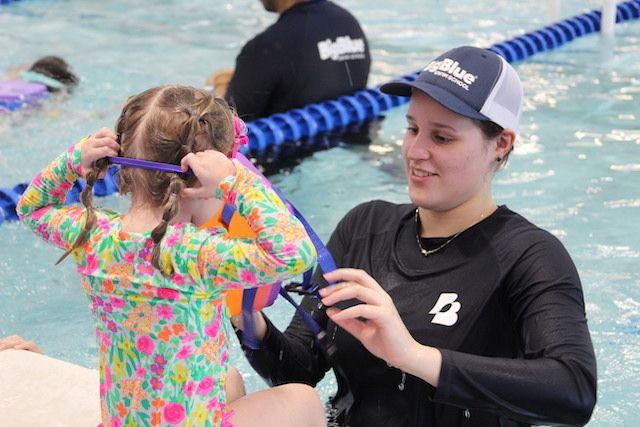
<point>448,161</point>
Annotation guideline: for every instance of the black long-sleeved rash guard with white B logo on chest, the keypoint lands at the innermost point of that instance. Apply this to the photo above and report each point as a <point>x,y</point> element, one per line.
<point>503,303</point>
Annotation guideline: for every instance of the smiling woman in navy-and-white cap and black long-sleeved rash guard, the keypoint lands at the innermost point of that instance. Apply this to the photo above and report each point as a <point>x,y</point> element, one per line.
<point>468,314</point>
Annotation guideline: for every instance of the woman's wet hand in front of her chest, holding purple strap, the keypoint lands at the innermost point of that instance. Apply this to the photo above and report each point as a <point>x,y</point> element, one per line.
<point>375,323</point>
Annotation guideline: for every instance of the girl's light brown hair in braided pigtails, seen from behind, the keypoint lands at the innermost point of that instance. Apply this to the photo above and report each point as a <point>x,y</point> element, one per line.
<point>162,124</point>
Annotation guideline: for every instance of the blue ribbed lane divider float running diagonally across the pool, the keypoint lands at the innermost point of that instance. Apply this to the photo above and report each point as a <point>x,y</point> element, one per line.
<point>267,136</point>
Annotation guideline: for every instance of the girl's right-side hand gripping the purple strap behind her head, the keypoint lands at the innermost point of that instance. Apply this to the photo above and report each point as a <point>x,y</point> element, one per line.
<point>210,167</point>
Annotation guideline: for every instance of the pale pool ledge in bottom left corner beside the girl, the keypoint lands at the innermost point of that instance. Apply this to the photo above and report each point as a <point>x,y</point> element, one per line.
<point>37,390</point>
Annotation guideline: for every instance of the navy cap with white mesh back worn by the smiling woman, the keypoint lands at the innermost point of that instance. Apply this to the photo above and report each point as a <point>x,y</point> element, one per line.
<point>472,82</point>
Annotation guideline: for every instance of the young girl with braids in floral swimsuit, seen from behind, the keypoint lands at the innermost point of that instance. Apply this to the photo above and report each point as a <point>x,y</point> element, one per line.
<point>154,280</point>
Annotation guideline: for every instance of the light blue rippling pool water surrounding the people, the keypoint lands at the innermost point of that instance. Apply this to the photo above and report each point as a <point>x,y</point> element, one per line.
<point>575,170</point>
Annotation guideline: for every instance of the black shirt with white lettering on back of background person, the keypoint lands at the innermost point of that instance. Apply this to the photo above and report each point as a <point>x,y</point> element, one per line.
<point>315,51</point>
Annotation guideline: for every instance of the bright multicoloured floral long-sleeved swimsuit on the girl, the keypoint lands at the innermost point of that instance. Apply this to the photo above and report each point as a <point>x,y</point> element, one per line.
<point>163,340</point>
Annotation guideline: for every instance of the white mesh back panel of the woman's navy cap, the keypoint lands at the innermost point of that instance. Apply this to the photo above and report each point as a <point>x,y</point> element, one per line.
<point>504,104</point>
